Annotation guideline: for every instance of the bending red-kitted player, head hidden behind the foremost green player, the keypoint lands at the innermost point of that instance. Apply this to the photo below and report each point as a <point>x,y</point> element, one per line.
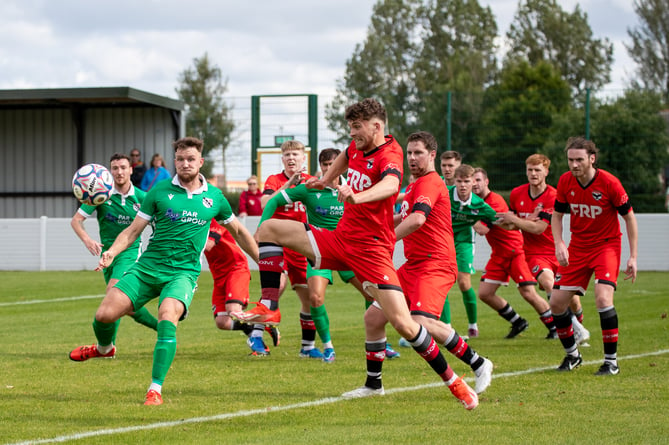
<point>230,269</point>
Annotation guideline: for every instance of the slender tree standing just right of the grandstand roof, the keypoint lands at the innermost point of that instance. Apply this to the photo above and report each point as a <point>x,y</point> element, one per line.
<point>208,117</point>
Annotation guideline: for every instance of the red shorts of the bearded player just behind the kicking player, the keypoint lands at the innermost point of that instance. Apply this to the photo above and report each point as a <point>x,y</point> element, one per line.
<point>426,285</point>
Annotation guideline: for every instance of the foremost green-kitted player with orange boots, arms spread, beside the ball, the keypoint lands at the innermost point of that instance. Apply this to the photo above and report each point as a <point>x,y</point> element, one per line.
<point>169,268</point>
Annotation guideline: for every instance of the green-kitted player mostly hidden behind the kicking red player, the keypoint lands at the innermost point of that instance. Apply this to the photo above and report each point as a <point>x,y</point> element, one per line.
<point>323,210</point>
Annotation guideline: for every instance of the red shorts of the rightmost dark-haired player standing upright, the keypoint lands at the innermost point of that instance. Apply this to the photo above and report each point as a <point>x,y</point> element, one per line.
<point>604,261</point>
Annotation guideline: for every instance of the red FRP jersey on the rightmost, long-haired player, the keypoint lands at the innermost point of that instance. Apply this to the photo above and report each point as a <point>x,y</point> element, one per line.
<point>593,208</point>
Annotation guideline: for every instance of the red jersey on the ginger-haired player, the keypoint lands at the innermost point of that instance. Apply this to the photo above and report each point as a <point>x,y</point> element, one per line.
<point>524,205</point>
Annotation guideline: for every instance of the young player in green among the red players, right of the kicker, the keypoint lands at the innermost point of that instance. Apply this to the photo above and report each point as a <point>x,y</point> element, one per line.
<point>467,209</point>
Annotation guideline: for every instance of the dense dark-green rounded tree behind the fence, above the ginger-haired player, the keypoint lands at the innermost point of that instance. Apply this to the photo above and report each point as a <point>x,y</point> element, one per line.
<point>518,117</point>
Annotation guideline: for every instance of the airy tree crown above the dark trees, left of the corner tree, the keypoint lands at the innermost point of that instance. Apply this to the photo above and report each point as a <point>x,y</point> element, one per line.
<point>542,31</point>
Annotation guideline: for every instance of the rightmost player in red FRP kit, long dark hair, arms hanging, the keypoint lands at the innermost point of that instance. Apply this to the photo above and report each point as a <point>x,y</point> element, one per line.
<point>594,198</point>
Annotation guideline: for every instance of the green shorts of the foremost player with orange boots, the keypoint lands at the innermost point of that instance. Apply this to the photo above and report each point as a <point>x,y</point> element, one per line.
<point>142,287</point>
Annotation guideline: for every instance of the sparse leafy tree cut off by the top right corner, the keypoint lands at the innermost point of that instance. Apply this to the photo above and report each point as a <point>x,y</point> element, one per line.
<point>650,45</point>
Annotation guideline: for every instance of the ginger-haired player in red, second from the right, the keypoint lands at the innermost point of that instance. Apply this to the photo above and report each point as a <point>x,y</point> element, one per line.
<point>531,208</point>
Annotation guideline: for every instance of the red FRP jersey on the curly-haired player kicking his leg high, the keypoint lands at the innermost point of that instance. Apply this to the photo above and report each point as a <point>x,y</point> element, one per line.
<point>372,222</point>
